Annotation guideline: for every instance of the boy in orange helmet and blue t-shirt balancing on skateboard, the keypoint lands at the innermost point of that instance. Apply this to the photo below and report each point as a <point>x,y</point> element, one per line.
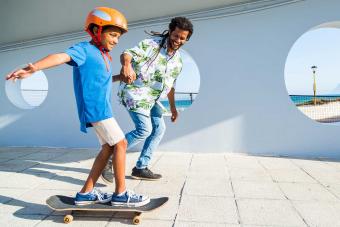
<point>92,78</point>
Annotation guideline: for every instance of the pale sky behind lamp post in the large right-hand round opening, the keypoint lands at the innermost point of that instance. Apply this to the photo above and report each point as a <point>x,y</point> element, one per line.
<point>319,47</point>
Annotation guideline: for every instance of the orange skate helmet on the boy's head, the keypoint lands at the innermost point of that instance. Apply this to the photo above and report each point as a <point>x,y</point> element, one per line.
<point>103,16</point>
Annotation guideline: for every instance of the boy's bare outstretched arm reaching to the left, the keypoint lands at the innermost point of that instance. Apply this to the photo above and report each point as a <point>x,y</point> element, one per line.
<point>44,63</point>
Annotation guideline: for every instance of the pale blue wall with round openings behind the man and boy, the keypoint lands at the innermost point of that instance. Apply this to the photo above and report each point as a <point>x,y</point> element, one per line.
<point>243,105</point>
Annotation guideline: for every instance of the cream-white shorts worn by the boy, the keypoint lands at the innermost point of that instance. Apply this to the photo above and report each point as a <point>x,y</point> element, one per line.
<point>108,131</point>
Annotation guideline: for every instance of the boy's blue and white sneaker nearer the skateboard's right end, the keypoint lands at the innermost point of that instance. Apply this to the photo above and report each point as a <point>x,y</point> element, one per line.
<point>129,199</point>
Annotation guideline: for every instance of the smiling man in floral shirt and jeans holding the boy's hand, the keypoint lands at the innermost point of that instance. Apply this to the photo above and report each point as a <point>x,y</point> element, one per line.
<point>149,72</point>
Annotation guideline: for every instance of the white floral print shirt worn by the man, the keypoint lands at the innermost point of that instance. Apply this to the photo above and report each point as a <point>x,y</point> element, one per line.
<point>156,73</point>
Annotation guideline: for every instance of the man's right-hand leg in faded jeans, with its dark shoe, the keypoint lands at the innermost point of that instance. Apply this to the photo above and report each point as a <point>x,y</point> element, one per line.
<point>151,143</point>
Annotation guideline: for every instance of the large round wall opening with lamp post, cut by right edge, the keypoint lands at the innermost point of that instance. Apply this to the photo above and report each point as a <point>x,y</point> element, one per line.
<point>312,73</point>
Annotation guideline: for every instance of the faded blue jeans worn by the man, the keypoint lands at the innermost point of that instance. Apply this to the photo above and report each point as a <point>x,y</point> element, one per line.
<point>151,129</point>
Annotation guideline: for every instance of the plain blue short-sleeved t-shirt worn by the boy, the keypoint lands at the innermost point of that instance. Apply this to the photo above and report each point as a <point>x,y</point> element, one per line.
<point>92,83</point>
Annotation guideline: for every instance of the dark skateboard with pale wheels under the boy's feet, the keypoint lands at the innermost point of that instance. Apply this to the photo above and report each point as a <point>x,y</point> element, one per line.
<point>62,203</point>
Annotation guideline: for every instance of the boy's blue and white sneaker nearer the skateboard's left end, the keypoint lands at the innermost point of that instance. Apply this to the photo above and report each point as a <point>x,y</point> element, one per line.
<point>95,196</point>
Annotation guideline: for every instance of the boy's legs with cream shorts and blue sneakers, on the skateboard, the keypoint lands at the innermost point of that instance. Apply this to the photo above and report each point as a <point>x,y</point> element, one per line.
<point>108,131</point>
